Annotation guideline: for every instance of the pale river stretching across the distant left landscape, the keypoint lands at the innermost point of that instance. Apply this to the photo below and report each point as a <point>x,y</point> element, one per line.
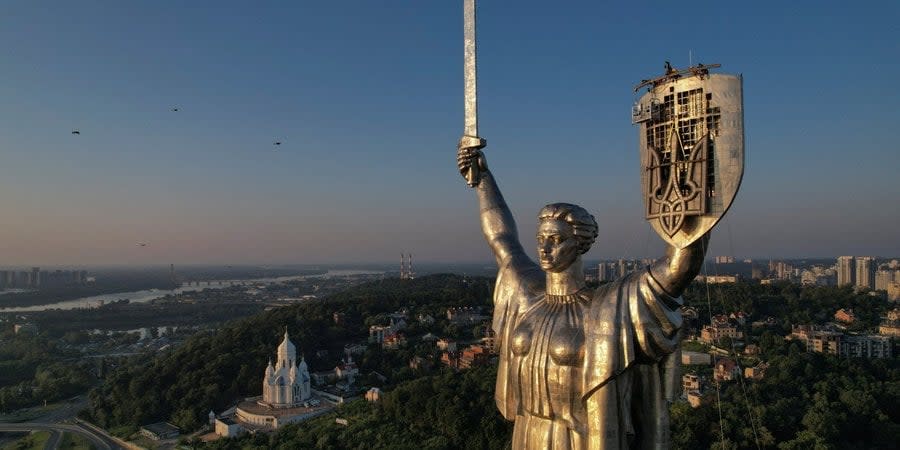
<point>152,294</point>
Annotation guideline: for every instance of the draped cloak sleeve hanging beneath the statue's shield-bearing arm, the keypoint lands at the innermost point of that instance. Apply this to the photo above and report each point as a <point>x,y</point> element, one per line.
<point>632,320</point>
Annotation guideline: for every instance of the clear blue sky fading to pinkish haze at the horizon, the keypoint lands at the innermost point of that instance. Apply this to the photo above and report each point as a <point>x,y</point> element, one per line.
<point>366,98</point>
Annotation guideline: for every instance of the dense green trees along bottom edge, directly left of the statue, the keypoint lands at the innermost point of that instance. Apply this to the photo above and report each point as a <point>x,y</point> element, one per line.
<point>445,411</point>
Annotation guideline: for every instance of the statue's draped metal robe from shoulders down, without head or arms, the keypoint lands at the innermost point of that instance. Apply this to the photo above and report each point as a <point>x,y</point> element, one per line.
<point>612,392</point>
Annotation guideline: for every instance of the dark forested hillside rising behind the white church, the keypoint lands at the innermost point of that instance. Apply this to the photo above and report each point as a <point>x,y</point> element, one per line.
<point>210,372</point>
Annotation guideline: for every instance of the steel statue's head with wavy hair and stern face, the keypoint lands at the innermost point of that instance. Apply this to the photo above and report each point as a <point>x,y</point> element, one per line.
<point>565,232</point>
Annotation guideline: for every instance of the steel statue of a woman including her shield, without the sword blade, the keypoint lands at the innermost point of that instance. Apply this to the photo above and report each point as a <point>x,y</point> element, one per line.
<point>596,368</point>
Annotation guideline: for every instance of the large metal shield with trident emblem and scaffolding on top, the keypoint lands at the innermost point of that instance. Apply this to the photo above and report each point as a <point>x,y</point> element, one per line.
<point>691,137</point>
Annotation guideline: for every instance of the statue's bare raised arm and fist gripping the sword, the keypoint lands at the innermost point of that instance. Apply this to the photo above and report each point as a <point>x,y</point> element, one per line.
<point>497,221</point>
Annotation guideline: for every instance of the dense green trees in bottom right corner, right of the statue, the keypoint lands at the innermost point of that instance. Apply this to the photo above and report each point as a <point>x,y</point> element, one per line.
<point>805,400</point>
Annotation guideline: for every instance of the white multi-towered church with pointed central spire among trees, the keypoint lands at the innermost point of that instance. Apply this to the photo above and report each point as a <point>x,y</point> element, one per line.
<point>287,383</point>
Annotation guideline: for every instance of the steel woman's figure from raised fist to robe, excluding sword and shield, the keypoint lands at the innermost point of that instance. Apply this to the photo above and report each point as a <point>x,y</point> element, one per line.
<point>579,367</point>
